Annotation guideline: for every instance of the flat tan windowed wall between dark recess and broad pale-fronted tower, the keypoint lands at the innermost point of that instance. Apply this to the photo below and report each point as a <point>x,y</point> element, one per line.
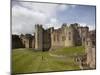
<point>58,38</point>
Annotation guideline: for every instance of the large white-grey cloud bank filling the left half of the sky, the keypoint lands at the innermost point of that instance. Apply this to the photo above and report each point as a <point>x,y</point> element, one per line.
<point>27,14</point>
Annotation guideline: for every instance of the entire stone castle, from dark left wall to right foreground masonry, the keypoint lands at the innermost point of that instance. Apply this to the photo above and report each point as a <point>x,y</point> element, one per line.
<point>66,36</point>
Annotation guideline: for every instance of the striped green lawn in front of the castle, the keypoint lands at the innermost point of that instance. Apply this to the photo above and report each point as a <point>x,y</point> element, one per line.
<point>29,60</point>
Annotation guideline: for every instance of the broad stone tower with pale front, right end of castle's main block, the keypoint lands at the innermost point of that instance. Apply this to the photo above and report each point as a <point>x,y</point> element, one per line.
<point>72,35</point>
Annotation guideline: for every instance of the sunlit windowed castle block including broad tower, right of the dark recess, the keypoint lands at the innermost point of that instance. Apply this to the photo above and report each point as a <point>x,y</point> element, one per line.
<point>65,36</point>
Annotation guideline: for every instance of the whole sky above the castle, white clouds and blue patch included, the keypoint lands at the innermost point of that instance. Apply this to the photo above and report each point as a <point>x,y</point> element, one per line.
<point>26,14</point>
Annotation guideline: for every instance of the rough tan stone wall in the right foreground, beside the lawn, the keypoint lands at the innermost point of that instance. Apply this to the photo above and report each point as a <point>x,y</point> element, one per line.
<point>90,50</point>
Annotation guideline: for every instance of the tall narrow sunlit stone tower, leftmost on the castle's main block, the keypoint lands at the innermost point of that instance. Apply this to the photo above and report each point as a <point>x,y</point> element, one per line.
<point>38,37</point>
